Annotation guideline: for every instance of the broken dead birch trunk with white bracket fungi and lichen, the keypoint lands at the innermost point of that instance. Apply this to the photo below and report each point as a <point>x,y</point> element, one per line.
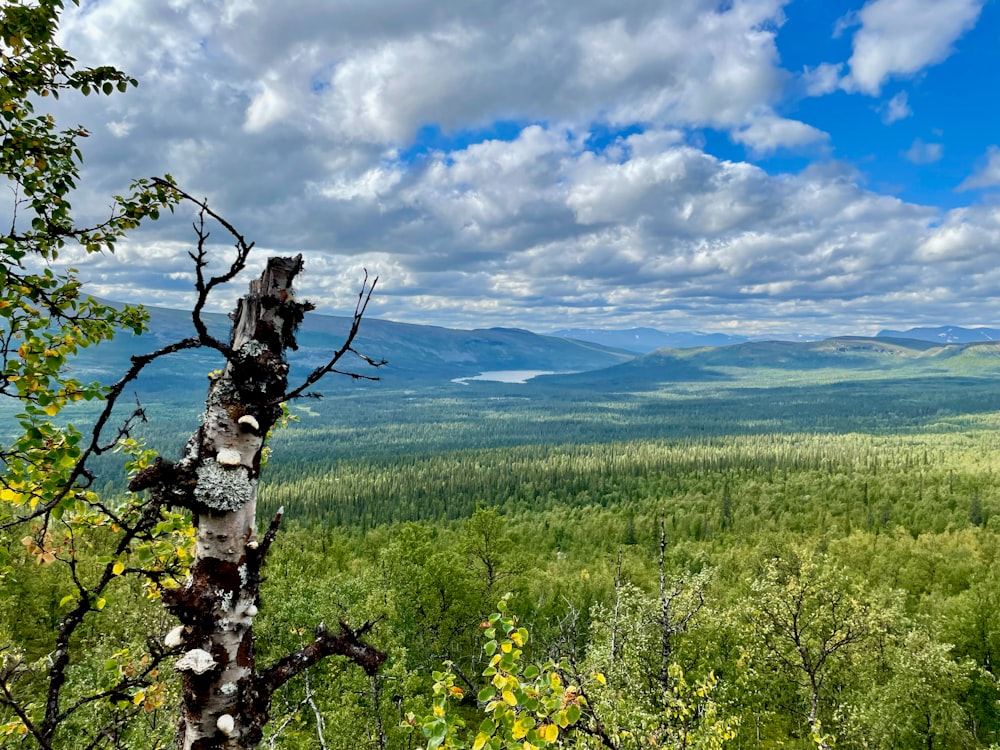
<point>226,698</point>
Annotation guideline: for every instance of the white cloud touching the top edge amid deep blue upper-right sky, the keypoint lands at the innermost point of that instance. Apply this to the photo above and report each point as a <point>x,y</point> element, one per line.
<point>902,37</point>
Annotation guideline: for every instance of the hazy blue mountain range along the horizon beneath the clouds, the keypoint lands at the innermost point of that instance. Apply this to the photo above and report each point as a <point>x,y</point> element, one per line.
<point>637,357</point>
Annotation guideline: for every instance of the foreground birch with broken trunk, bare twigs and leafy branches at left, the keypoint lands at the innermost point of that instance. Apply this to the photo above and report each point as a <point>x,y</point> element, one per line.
<point>188,529</point>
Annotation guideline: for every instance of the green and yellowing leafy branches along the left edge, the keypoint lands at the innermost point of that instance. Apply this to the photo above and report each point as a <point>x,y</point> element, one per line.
<point>68,553</point>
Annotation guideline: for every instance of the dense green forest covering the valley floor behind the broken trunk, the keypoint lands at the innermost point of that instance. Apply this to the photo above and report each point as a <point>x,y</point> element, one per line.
<point>808,565</point>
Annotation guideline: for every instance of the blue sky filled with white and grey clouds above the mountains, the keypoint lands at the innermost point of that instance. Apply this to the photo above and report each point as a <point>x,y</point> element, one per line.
<point>737,166</point>
